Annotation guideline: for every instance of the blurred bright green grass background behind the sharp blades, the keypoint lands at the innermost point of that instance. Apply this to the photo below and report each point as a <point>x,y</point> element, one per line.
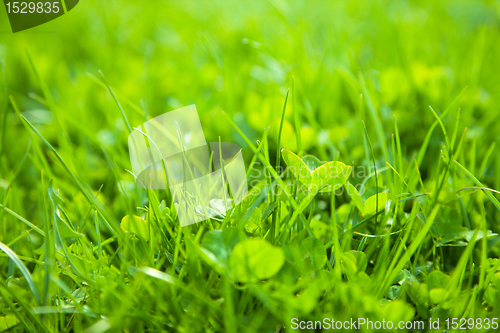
<point>240,57</point>
